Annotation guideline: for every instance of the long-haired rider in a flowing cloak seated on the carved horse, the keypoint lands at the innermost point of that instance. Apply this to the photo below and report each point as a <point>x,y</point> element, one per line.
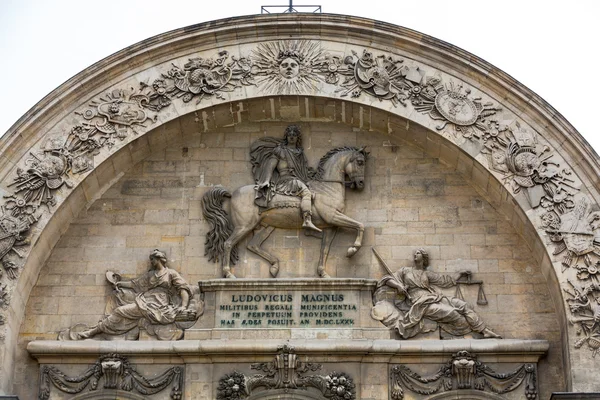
<point>280,167</point>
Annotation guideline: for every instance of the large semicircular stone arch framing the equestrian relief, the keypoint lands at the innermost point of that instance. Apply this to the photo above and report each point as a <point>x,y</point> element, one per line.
<point>134,98</point>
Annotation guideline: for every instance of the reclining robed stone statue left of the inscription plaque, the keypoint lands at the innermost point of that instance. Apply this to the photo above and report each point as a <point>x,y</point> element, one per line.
<point>160,303</point>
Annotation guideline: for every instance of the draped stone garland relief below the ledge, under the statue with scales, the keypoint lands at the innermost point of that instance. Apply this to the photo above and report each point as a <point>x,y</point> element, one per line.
<point>465,377</point>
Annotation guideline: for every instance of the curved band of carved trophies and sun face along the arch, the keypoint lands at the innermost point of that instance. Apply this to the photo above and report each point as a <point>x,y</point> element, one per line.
<point>294,67</point>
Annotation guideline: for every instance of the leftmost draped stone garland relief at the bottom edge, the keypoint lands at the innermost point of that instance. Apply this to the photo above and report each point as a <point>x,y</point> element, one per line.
<point>111,375</point>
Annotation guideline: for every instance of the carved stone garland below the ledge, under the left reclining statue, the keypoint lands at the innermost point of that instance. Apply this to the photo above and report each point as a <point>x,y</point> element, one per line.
<point>117,374</point>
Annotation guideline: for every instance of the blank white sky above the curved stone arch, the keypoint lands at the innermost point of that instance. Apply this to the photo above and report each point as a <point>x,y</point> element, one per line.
<point>550,46</point>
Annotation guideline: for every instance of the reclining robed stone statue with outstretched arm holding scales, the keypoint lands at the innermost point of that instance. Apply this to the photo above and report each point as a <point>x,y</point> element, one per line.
<point>419,308</point>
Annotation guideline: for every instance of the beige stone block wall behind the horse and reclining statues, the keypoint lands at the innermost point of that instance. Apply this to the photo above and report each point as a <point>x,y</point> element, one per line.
<point>410,201</point>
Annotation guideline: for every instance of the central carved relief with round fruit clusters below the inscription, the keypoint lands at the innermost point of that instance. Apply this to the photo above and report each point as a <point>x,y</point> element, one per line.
<point>285,376</point>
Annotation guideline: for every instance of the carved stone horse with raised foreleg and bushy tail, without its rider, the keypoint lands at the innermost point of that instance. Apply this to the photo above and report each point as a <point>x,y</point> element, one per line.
<point>328,186</point>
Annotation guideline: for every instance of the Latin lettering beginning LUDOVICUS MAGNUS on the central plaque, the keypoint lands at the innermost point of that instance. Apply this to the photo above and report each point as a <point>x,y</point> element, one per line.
<point>286,310</point>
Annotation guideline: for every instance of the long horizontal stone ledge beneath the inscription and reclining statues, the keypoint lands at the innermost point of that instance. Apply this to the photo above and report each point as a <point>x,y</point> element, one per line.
<point>43,350</point>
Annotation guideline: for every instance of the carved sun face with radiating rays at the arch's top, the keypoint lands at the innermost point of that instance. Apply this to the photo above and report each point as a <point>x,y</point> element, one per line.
<point>288,67</point>
